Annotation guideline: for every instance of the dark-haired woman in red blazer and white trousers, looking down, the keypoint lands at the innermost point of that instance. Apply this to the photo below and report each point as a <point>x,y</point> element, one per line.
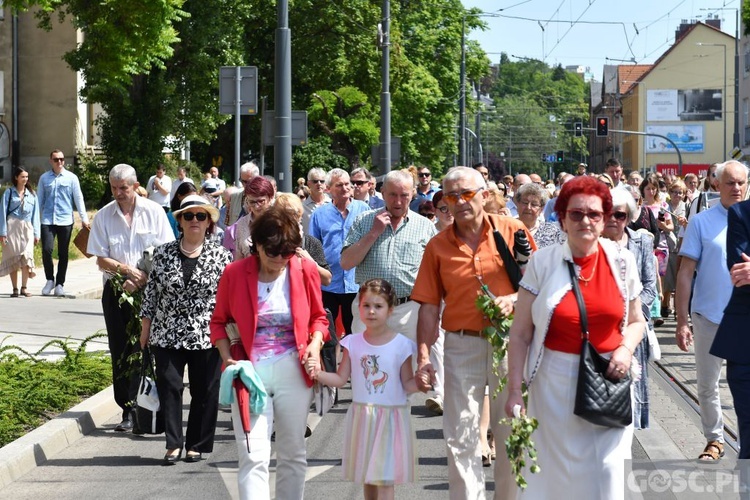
<point>274,299</point>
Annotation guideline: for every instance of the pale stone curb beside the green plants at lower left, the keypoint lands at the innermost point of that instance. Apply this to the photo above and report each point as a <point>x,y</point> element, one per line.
<point>41,444</point>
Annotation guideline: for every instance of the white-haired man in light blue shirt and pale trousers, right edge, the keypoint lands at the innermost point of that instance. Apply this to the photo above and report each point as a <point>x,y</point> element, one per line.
<point>704,254</point>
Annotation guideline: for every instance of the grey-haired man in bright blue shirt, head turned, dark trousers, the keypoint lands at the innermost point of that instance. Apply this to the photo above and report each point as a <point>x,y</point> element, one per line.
<point>330,223</point>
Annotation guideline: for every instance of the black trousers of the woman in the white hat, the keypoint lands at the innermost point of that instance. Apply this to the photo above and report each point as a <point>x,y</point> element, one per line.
<point>204,370</point>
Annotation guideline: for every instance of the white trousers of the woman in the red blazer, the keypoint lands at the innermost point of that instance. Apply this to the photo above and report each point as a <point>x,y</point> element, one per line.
<point>286,411</point>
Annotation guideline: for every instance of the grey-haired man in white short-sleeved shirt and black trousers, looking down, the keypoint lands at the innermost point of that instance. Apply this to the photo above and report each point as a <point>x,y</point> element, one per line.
<point>120,234</point>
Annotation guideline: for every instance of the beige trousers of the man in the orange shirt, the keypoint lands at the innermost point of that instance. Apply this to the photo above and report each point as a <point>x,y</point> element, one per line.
<point>468,369</point>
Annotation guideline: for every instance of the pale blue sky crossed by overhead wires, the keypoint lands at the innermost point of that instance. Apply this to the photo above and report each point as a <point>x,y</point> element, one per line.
<point>573,32</point>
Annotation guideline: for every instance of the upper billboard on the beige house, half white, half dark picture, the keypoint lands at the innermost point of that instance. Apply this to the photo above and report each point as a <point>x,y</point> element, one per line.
<point>691,105</point>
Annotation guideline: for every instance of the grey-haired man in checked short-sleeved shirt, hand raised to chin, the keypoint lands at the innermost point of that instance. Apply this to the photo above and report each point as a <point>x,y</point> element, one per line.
<point>388,243</point>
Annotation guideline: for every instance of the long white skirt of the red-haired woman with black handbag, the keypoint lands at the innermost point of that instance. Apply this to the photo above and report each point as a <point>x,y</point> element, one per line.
<point>577,459</point>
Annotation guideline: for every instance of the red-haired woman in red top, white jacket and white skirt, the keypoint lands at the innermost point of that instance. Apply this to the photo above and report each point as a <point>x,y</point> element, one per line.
<point>582,459</point>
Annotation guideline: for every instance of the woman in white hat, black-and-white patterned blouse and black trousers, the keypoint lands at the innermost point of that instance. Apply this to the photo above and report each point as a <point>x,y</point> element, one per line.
<point>177,305</point>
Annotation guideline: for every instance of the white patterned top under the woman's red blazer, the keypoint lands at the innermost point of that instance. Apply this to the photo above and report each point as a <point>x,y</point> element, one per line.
<point>275,333</point>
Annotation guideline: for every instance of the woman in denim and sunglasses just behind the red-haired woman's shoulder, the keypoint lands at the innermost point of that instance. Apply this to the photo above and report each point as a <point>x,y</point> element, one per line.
<point>641,245</point>
